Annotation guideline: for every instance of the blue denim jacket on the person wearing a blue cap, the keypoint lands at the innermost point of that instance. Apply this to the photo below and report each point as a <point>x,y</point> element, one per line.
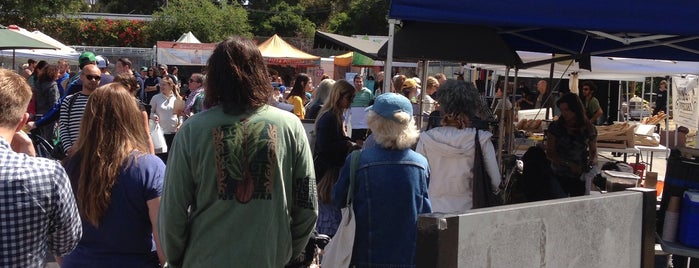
<point>390,190</point>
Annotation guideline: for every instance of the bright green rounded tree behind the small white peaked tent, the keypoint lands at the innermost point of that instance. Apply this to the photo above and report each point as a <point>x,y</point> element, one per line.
<point>208,21</point>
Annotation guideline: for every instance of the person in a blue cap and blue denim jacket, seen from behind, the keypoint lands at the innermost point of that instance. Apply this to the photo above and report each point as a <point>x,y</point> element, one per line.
<point>390,187</point>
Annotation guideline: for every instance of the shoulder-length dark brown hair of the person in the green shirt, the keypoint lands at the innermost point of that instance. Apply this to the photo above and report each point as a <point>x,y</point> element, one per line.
<point>237,77</point>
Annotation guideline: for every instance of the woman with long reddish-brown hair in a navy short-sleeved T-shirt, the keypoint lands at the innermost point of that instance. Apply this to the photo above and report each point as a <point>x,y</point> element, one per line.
<point>117,185</point>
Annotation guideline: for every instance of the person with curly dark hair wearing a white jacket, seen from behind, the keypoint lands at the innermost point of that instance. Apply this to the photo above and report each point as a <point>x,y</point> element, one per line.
<point>450,148</point>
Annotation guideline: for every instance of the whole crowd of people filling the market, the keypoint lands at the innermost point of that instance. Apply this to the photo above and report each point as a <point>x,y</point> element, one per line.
<point>234,179</point>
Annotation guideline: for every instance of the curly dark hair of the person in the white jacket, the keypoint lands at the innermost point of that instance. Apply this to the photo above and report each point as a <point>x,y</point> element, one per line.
<point>459,97</point>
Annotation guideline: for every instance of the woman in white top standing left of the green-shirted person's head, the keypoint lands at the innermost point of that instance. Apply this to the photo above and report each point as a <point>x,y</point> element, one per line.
<point>163,113</point>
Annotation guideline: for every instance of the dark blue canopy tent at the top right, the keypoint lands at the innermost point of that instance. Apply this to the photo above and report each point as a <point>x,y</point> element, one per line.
<point>644,29</point>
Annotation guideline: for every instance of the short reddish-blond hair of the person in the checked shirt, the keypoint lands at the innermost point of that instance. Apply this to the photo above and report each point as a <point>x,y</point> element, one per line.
<point>15,94</point>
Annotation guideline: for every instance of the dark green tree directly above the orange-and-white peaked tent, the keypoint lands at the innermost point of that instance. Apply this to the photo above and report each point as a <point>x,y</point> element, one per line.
<point>286,20</point>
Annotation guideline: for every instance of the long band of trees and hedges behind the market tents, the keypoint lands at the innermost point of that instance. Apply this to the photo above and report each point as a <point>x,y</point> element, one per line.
<point>210,20</point>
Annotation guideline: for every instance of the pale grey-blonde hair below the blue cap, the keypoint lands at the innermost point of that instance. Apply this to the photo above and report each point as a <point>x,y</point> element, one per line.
<point>398,133</point>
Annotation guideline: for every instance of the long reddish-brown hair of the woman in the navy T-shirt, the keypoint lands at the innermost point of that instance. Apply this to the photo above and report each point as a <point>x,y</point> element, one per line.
<point>110,131</point>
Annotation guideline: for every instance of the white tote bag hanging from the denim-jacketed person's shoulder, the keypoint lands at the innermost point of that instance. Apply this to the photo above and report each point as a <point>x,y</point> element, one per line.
<point>338,253</point>
